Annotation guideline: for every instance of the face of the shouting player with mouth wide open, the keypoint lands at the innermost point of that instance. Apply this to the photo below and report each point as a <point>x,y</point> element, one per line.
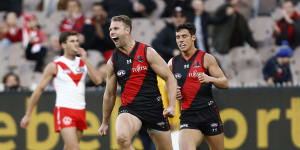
<point>117,32</point>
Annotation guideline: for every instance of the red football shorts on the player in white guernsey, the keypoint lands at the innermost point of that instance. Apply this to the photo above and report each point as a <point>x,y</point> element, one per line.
<point>67,117</point>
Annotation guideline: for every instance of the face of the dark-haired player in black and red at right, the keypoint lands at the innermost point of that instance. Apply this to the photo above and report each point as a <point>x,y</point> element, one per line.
<point>184,40</point>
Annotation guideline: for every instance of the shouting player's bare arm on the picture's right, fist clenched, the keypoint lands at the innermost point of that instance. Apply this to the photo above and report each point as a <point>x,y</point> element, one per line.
<point>161,68</point>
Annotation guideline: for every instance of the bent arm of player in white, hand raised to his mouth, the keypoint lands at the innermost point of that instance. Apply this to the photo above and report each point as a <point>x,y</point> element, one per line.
<point>92,72</point>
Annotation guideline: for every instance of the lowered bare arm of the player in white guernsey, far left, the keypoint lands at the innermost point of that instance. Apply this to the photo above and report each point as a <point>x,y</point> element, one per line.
<point>47,76</point>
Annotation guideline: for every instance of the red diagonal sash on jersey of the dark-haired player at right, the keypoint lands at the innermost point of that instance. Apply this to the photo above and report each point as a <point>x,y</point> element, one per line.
<point>192,84</point>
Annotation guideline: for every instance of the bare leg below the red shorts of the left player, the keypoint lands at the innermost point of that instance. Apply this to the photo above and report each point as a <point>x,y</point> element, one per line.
<point>70,138</point>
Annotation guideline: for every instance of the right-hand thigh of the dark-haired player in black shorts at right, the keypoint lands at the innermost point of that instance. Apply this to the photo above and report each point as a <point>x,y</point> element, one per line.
<point>215,142</point>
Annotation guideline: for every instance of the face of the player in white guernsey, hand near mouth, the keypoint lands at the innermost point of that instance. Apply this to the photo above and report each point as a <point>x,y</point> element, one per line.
<point>72,45</point>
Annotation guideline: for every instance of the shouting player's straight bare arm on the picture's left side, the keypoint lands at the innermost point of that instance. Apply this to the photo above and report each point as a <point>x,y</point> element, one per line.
<point>109,97</point>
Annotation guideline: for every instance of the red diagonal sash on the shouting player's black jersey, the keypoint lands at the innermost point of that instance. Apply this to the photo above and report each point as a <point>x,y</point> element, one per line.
<point>136,78</point>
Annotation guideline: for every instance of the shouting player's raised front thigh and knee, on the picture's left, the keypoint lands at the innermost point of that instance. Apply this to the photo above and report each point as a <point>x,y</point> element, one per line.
<point>127,126</point>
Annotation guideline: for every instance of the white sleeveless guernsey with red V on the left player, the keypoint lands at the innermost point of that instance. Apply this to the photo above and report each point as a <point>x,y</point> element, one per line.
<point>69,83</point>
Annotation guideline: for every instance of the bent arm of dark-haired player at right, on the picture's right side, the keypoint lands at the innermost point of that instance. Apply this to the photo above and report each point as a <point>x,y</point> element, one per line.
<point>217,76</point>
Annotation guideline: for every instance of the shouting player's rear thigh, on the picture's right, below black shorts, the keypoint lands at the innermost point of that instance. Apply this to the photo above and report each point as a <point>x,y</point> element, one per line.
<point>161,139</point>
